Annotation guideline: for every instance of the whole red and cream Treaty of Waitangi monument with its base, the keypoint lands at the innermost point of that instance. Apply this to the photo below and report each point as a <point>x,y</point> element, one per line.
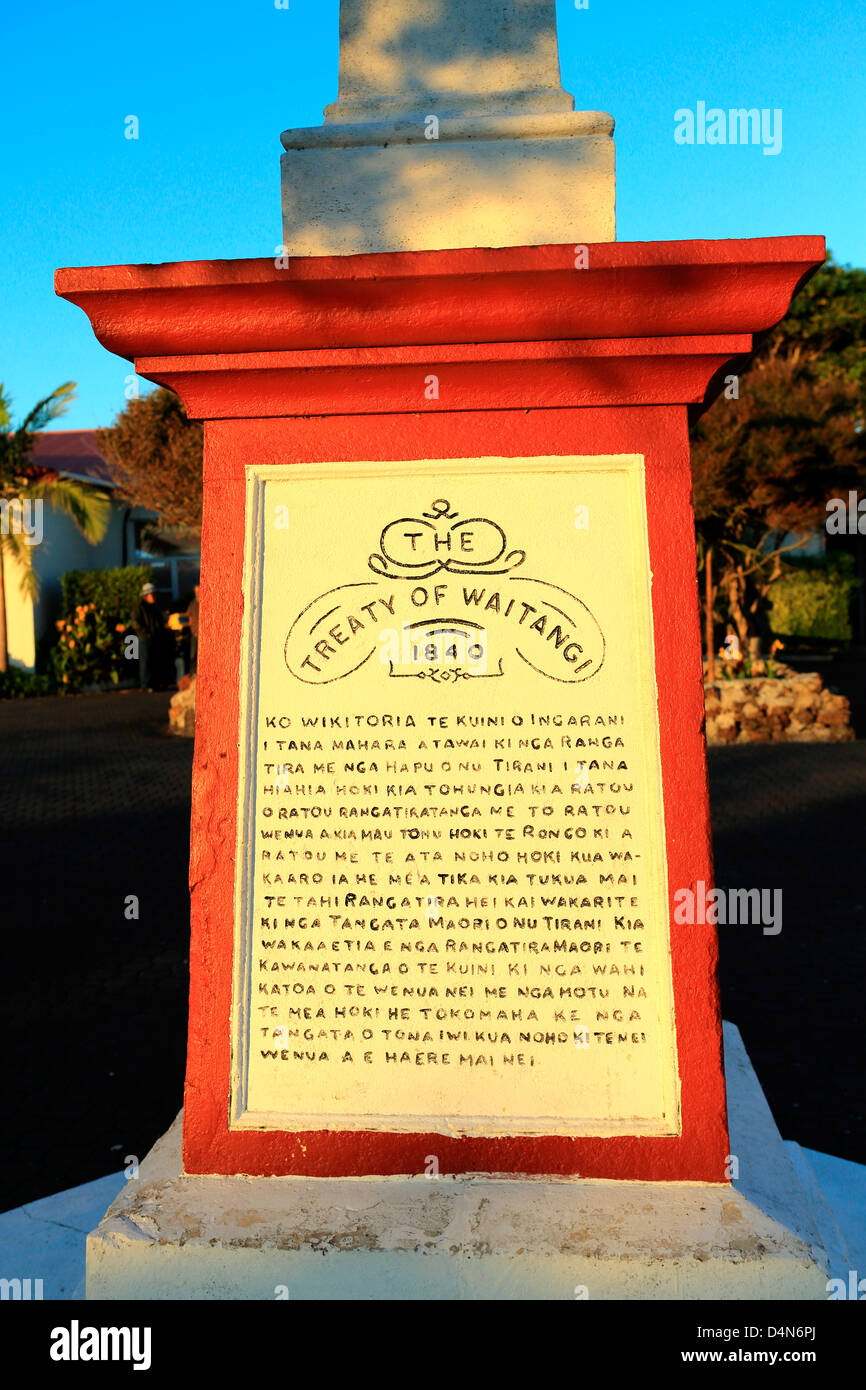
<point>450,755</point>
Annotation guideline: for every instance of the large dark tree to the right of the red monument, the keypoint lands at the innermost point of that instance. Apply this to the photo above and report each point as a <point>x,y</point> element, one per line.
<point>764,465</point>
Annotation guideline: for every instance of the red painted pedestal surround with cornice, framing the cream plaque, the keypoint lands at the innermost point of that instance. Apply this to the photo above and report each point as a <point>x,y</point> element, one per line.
<point>252,351</point>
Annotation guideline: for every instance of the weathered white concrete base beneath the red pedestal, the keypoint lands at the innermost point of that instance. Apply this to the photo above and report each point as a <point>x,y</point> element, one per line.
<point>169,1236</point>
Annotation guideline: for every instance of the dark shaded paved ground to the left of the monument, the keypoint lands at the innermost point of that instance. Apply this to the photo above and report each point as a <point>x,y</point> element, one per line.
<point>94,808</point>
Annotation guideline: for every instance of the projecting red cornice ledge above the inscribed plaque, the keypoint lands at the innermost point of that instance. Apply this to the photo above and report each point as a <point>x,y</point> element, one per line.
<point>644,323</point>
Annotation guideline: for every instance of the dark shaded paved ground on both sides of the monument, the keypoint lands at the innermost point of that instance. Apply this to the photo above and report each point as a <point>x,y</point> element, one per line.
<point>95,808</point>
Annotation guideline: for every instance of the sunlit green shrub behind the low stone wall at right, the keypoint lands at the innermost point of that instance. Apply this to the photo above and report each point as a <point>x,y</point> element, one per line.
<point>812,600</point>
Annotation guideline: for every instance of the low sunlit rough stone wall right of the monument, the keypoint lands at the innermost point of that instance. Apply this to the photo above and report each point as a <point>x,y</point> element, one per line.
<point>793,708</point>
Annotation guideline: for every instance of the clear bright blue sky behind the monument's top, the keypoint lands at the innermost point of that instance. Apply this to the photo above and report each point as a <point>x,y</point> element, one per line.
<point>213,85</point>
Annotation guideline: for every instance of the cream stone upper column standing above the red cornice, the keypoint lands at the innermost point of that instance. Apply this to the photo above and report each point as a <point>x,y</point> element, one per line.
<point>451,130</point>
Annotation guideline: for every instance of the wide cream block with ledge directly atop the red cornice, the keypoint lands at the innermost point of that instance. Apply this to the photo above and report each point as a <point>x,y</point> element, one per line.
<point>489,181</point>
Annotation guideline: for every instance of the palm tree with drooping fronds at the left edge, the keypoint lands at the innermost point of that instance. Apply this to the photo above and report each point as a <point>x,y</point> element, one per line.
<point>24,482</point>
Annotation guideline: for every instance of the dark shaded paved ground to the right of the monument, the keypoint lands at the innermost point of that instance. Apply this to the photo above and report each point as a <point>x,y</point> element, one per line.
<point>793,818</point>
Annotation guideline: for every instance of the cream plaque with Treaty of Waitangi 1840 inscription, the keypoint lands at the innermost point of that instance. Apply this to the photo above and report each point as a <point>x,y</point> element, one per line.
<point>451,886</point>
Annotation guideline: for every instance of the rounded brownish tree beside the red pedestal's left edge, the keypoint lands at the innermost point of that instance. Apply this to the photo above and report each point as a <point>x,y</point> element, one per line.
<point>155,457</point>
